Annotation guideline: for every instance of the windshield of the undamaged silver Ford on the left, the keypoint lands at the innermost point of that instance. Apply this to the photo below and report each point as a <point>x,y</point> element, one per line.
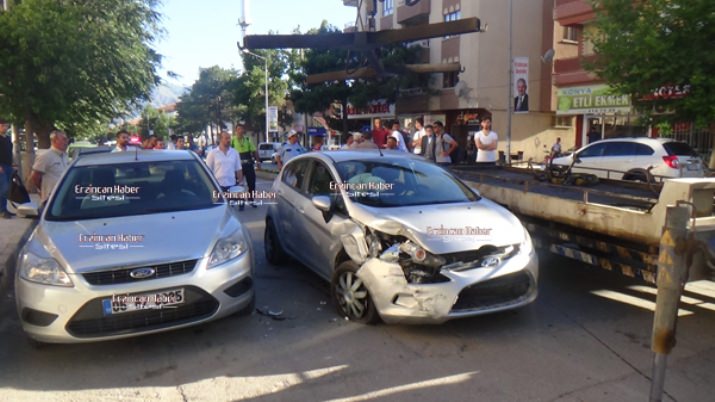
<point>101,191</point>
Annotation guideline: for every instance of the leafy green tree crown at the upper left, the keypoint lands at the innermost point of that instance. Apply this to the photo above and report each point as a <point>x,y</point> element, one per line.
<point>73,63</point>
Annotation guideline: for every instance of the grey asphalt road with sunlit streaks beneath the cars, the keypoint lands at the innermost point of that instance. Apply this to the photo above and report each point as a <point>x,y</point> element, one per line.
<point>575,343</point>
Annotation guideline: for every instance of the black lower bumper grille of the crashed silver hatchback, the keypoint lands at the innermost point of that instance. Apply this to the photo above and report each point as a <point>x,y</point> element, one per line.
<point>494,292</point>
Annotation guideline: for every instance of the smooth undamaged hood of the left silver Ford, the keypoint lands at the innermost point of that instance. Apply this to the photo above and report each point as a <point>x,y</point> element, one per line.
<point>170,236</point>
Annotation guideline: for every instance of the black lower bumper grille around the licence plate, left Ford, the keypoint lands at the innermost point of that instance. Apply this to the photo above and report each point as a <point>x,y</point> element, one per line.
<point>89,321</point>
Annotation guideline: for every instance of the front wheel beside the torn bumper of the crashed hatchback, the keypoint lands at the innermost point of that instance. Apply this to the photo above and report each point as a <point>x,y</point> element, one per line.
<point>351,296</point>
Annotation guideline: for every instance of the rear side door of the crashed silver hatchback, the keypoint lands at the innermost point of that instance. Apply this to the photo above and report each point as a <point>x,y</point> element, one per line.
<point>291,193</point>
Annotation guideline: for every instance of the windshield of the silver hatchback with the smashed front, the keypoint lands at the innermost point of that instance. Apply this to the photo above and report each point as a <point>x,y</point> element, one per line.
<point>400,182</point>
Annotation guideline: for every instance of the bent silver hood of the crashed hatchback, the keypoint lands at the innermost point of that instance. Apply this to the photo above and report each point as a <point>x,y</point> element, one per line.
<point>446,228</point>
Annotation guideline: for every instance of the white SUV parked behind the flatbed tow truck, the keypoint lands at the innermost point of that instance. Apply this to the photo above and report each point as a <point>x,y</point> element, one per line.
<point>636,158</point>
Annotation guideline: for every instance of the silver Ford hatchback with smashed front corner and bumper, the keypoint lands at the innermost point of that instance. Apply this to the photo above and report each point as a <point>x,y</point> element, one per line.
<point>399,239</point>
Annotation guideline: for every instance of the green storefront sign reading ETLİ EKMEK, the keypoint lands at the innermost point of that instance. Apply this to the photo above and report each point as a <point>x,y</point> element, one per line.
<point>594,99</point>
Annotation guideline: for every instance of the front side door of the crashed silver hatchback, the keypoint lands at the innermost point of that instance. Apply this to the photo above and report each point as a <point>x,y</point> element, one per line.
<point>317,242</point>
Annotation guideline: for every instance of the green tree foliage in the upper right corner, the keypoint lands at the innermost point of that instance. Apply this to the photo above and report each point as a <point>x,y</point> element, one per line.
<point>644,45</point>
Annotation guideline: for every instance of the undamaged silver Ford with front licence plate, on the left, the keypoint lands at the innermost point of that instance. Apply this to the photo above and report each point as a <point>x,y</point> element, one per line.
<point>133,243</point>
